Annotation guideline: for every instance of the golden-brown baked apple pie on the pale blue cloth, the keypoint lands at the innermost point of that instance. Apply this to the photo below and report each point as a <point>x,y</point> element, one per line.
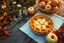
<point>41,24</point>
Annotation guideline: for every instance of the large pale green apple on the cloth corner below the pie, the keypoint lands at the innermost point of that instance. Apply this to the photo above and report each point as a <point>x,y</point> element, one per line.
<point>51,38</point>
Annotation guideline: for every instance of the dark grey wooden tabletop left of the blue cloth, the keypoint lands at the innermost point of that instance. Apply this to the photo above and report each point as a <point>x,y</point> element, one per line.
<point>17,36</point>
